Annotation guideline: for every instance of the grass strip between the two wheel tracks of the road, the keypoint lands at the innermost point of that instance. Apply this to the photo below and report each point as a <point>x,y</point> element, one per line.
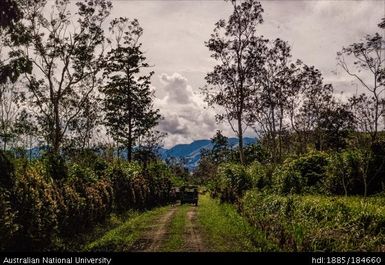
<point>176,241</point>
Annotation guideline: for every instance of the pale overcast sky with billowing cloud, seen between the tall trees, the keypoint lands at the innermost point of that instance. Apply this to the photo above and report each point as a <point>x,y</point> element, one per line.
<point>175,32</point>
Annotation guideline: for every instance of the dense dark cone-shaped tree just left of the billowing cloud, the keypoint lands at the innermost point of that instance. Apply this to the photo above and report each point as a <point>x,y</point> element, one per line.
<point>128,98</point>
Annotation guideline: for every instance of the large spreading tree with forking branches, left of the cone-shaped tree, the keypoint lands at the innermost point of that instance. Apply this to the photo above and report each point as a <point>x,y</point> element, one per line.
<point>66,51</point>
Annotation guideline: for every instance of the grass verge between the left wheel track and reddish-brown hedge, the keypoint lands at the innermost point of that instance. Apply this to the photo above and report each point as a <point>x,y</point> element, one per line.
<point>124,236</point>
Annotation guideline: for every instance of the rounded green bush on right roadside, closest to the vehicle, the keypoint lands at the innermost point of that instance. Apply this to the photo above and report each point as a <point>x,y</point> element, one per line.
<point>233,181</point>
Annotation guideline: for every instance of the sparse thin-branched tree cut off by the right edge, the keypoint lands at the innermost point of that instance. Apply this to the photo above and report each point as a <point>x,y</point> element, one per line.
<point>366,66</point>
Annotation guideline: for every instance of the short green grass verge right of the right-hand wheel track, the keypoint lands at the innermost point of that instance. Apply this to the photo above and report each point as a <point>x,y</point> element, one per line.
<point>223,229</point>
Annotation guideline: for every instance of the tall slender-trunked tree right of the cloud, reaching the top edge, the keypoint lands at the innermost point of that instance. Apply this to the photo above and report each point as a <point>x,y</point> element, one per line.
<point>230,84</point>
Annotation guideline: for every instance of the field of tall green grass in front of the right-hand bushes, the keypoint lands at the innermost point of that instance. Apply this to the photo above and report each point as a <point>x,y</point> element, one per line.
<point>318,223</point>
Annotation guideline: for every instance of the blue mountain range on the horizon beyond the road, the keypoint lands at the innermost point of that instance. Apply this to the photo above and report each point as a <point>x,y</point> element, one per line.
<point>192,152</point>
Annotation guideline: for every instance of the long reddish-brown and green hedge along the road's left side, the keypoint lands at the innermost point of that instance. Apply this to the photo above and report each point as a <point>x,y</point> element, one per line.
<point>42,213</point>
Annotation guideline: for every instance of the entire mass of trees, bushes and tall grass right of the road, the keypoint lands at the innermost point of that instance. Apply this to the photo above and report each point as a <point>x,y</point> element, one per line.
<point>315,179</point>
